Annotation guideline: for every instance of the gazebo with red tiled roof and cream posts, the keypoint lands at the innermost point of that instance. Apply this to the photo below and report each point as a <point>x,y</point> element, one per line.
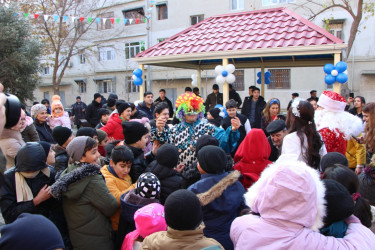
<point>262,39</point>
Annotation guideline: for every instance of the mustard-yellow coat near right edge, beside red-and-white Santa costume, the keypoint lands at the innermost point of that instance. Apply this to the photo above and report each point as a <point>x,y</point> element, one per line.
<point>355,153</point>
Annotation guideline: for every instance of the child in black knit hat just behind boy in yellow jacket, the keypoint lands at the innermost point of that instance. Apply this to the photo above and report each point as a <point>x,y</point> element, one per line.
<point>136,137</point>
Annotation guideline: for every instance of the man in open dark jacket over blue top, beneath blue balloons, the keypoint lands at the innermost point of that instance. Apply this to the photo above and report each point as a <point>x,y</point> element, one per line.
<point>252,108</point>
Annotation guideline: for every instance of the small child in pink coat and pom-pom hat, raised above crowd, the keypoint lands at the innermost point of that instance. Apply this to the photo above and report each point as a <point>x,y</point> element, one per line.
<point>58,116</point>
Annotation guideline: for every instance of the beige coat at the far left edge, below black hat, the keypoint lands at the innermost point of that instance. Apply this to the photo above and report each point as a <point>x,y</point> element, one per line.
<point>10,142</point>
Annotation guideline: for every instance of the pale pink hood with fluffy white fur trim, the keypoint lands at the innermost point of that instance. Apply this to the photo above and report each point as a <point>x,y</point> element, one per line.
<point>289,193</point>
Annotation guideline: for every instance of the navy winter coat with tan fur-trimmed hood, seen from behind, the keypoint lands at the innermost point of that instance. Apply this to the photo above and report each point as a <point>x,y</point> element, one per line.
<point>221,196</point>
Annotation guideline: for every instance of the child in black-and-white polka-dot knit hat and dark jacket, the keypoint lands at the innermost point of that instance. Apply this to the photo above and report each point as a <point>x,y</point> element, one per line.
<point>146,192</point>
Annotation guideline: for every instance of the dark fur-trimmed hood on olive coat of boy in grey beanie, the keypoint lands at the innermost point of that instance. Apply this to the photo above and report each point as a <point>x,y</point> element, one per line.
<point>73,174</point>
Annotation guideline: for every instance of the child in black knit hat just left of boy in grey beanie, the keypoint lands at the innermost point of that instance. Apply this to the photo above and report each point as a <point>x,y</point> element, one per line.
<point>63,136</point>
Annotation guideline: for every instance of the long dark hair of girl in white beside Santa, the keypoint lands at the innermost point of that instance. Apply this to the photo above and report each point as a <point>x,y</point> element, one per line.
<point>304,124</point>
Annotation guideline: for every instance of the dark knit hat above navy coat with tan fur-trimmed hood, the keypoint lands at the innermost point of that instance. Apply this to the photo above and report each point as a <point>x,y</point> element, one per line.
<point>212,159</point>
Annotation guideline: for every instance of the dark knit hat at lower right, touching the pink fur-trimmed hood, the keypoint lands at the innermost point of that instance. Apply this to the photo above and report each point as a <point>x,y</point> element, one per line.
<point>340,204</point>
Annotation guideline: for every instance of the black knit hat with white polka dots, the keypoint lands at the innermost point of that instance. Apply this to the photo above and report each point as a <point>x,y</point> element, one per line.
<point>148,186</point>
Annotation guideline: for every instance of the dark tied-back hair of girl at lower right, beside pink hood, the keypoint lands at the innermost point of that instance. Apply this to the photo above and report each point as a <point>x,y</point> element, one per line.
<point>349,180</point>
